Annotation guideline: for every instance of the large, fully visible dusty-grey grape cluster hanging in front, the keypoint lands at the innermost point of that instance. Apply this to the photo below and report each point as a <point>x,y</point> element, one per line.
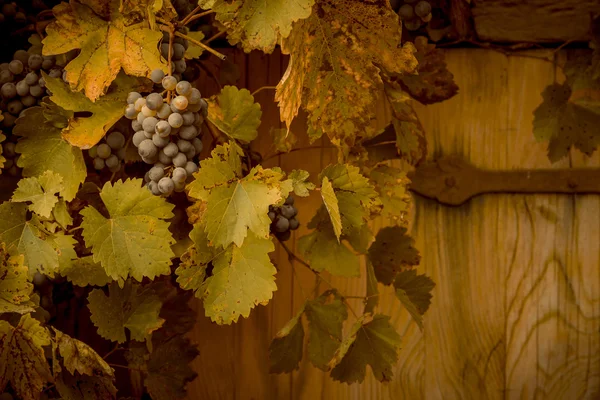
<point>167,133</point>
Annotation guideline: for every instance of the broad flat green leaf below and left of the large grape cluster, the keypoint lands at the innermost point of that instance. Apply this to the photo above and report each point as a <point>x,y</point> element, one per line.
<point>134,240</point>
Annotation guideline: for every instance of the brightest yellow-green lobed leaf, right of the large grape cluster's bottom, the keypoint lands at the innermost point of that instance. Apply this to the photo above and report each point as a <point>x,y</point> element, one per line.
<point>234,203</point>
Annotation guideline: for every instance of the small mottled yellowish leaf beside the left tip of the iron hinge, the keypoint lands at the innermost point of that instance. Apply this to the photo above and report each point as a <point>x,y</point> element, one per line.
<point>391,184</point>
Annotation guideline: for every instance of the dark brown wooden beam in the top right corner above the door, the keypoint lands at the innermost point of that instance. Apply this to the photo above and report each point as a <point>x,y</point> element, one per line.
<point>533,20</point>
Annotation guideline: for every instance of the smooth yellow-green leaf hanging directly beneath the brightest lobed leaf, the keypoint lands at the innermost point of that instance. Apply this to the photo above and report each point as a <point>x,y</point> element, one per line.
<point>242,278</point>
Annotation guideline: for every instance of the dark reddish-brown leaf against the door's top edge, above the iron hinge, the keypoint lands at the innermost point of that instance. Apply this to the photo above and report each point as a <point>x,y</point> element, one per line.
<point>433,83</point>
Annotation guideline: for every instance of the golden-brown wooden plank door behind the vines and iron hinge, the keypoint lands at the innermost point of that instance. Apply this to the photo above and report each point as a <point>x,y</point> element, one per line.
<point>516,309</point>
